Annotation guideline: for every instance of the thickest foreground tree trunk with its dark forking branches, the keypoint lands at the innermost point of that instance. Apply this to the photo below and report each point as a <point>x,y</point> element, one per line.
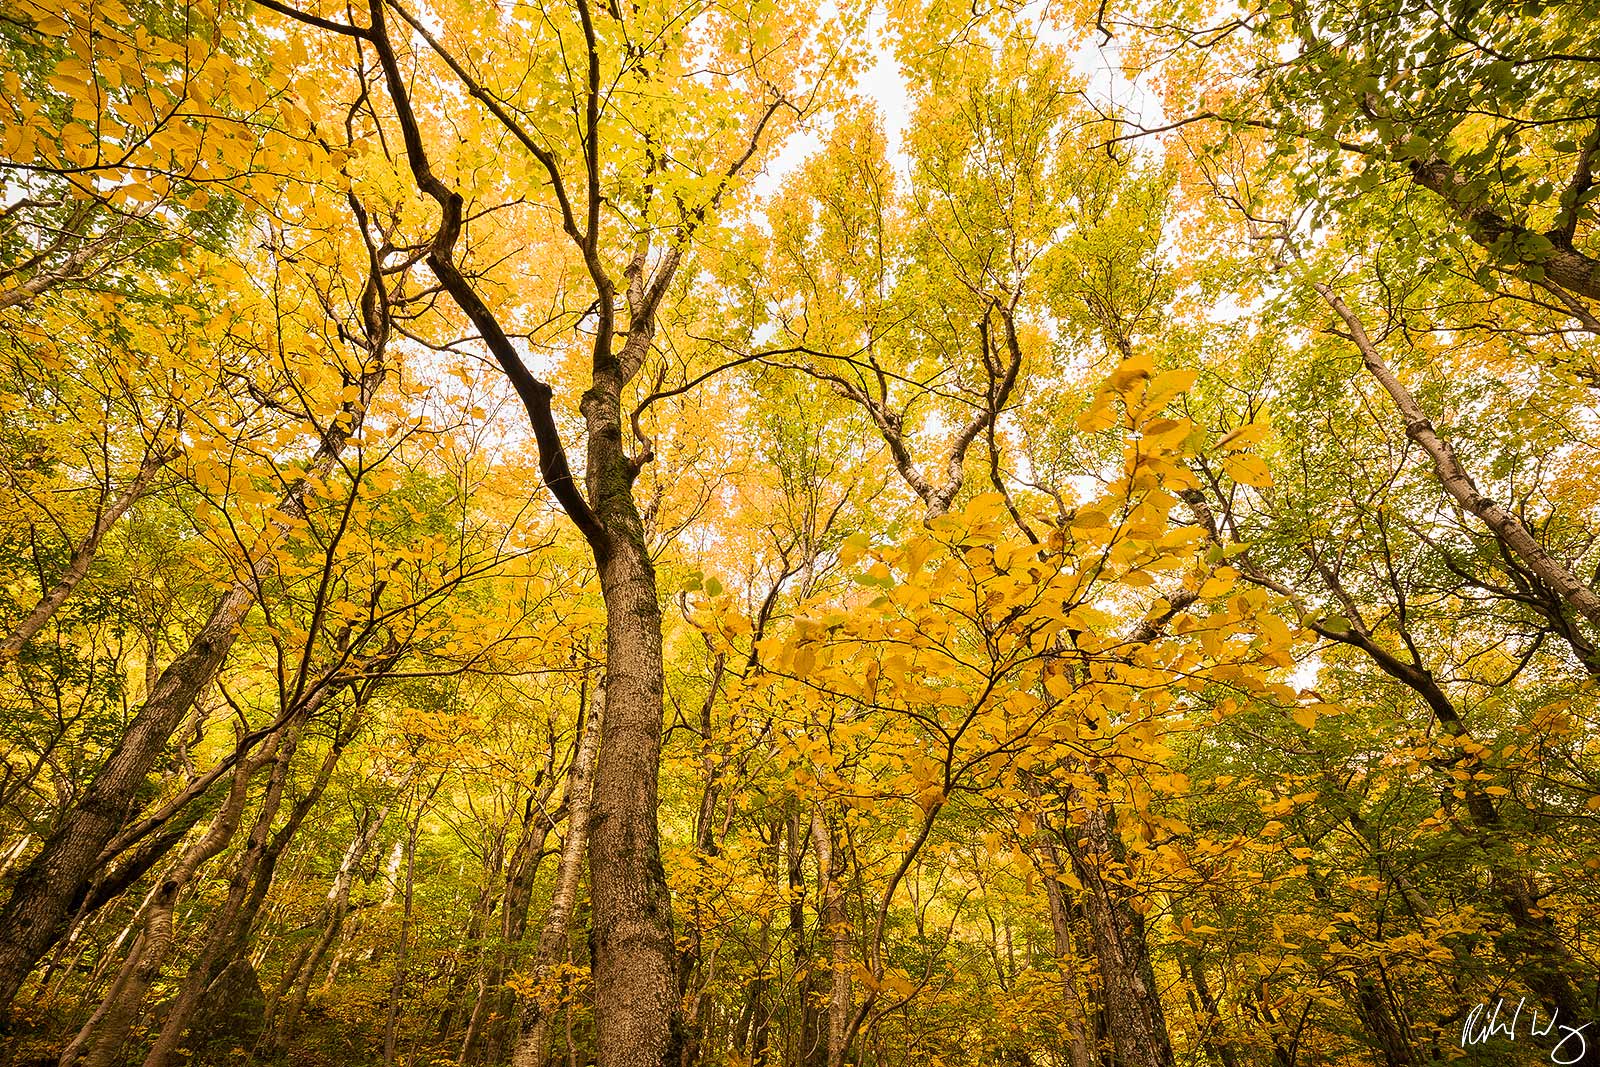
<point>634,989</point>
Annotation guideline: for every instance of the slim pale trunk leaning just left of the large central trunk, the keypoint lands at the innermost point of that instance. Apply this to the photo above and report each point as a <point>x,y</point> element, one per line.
<point>535,1041</point>
